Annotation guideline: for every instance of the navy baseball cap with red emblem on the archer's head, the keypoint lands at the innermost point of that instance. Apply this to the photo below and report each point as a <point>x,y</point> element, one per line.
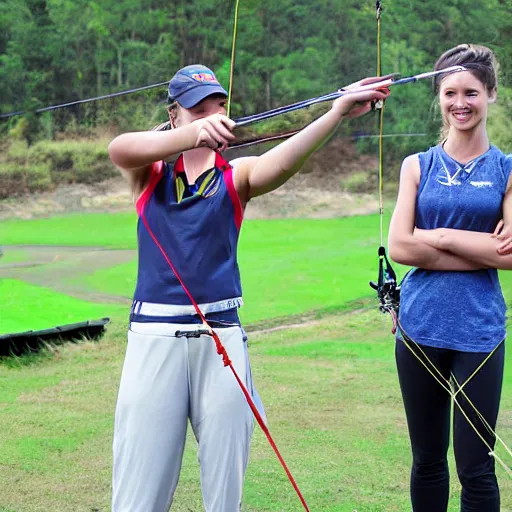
<point>192,84</point>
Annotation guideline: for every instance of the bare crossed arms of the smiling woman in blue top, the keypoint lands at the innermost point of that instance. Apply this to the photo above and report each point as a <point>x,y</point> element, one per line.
<point>441,248</point>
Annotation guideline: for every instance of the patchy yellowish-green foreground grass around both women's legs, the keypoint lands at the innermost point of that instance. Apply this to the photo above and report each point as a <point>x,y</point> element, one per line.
<point>331,396</point>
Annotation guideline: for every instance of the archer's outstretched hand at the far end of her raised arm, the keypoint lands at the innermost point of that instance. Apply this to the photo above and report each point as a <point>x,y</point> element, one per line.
<point>359,102</point>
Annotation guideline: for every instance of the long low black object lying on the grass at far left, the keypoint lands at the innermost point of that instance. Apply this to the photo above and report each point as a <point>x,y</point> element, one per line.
<point>19,343</point>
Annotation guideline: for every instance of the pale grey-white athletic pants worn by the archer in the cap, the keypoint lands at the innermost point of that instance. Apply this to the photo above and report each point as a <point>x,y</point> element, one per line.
<point>166,381</point>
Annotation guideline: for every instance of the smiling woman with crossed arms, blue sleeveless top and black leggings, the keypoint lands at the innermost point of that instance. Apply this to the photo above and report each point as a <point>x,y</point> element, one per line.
<point>451,199</point>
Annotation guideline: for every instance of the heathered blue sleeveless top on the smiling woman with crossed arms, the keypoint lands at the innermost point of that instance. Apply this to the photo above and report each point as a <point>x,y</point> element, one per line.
<point>457,310</point>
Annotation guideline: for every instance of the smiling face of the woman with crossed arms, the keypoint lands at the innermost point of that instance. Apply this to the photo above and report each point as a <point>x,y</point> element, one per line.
<point>464,101</point>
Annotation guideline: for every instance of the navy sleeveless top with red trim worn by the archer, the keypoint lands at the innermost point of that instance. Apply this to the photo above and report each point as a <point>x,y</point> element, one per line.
<point>198,231</point>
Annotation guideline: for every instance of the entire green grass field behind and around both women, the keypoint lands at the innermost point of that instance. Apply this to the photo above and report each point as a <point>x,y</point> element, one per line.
<point>329,387</point>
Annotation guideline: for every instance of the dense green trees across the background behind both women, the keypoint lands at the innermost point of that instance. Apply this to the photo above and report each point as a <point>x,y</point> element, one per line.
<point>57,51</point>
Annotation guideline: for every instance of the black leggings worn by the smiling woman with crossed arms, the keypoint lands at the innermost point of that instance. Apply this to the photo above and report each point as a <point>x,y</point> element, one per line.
<point>427,407</point>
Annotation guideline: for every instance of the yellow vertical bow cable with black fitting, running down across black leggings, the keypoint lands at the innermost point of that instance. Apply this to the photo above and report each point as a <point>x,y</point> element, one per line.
<point>388,290</point>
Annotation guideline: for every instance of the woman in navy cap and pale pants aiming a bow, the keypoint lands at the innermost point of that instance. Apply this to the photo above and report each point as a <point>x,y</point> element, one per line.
<point>192,211</point>
